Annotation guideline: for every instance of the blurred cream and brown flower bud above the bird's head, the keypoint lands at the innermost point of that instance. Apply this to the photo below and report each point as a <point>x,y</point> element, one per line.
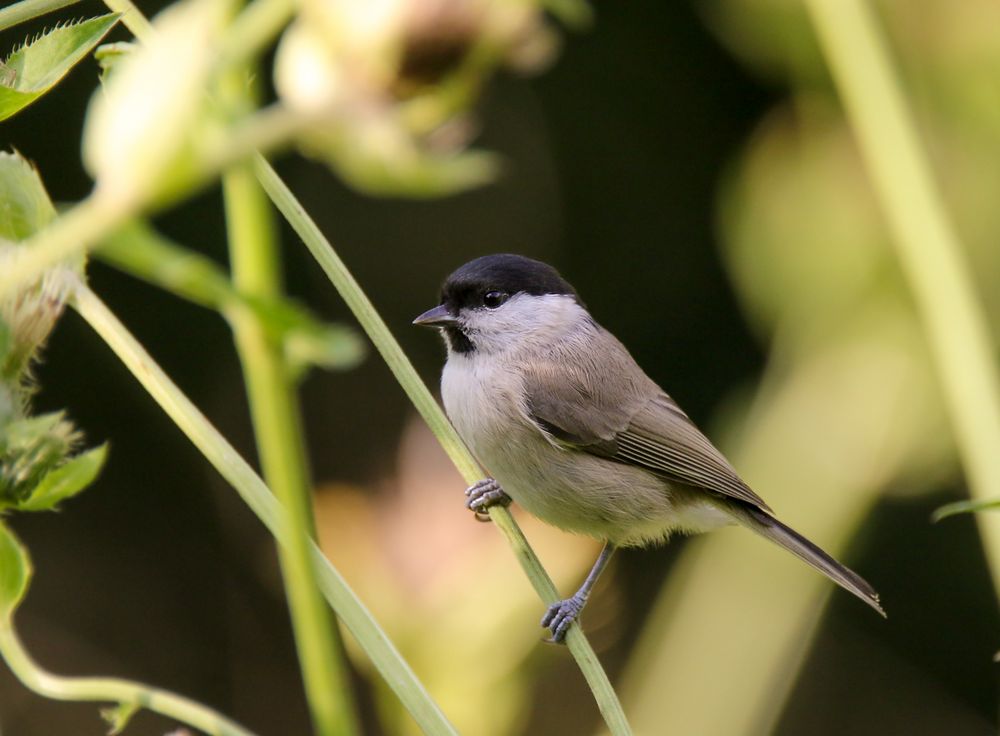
<point>388,85</point>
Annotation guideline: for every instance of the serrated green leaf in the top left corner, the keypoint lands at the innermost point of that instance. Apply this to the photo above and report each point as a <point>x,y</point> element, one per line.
<point>33,69</point>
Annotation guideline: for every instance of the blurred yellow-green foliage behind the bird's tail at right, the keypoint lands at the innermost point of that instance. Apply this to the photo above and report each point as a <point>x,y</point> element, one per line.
<point>849,406</point>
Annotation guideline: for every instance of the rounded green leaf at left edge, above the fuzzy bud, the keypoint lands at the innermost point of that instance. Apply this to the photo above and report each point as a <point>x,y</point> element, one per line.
<point>25,207</point>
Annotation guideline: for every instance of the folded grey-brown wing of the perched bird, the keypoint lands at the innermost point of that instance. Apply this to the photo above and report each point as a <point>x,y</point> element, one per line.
<point>633,422</point>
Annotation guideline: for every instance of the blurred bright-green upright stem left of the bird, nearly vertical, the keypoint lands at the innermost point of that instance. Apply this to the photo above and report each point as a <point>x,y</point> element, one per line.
<point>274,409</point>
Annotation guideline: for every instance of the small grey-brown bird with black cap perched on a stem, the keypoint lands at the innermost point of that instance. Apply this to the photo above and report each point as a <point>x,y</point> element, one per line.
<point>566,422</point>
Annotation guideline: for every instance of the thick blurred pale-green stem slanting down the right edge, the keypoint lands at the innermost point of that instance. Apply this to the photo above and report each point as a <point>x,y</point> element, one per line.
<point>926,243</point>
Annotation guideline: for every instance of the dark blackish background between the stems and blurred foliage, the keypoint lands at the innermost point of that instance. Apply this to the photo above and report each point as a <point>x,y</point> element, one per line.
<point>612,163</point>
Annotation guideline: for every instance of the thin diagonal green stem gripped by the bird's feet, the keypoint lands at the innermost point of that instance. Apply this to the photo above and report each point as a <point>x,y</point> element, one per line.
<point>428,408</point>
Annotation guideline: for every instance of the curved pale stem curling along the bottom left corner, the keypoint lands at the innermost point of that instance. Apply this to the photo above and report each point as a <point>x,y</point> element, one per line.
<point>110,689</point>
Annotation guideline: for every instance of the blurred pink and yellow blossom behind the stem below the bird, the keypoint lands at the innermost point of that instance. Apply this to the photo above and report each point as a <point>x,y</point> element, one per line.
<point>457,604</point>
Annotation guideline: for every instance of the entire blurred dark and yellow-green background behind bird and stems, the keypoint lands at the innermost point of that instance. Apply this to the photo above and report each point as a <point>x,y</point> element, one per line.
<point>687,168</point>
